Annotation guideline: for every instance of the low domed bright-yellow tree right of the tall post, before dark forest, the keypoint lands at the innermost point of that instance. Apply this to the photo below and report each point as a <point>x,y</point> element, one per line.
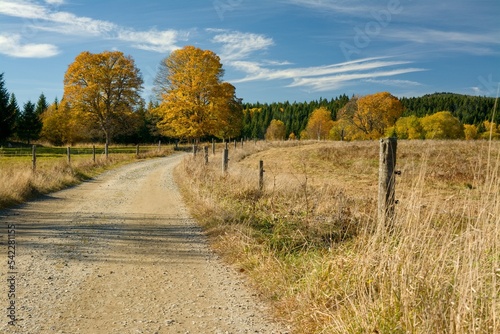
<point>442,125</point>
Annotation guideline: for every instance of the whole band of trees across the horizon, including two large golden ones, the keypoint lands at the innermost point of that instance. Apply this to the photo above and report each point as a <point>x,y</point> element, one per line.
<point>101,103</point>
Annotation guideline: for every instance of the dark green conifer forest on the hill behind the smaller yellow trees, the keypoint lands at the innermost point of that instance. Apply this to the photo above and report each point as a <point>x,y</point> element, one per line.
<point>468,109</point>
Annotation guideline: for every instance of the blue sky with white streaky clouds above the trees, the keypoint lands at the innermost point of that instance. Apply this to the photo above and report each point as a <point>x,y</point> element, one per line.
<point>274,50</point>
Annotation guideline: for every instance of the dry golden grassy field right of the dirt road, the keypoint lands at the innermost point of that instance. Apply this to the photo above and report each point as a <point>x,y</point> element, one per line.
<point>311,243</point>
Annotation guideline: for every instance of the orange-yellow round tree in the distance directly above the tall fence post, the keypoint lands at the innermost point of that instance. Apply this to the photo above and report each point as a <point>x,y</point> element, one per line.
<point>375,113</point>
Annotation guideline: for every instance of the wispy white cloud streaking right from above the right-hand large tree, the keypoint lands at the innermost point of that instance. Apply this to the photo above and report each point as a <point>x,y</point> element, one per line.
<point>238,51</point>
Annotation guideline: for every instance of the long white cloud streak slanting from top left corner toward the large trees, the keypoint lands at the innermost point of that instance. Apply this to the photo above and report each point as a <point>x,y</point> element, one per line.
<point>43,18</point>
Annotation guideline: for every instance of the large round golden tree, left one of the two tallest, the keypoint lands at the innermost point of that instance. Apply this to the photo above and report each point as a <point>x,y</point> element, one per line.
<point>104,89</point>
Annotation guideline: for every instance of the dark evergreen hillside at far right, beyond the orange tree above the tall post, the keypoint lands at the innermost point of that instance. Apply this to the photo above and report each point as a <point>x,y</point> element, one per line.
<point>468,109</point>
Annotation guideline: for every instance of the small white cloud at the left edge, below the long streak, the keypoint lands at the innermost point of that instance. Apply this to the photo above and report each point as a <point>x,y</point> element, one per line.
<point>11,45</point>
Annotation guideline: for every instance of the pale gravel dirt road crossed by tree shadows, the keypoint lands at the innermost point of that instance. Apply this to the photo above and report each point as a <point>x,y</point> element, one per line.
<point>119,254</point>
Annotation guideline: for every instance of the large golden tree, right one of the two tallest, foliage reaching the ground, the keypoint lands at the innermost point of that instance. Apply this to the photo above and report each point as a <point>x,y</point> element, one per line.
<point>194,100</point>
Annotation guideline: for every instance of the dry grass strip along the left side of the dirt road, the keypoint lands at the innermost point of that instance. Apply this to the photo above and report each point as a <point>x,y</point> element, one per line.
<point>19,183</point>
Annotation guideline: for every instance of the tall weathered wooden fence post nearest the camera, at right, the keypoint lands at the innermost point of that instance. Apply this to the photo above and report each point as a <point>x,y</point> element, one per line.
<point>387,164</point>
